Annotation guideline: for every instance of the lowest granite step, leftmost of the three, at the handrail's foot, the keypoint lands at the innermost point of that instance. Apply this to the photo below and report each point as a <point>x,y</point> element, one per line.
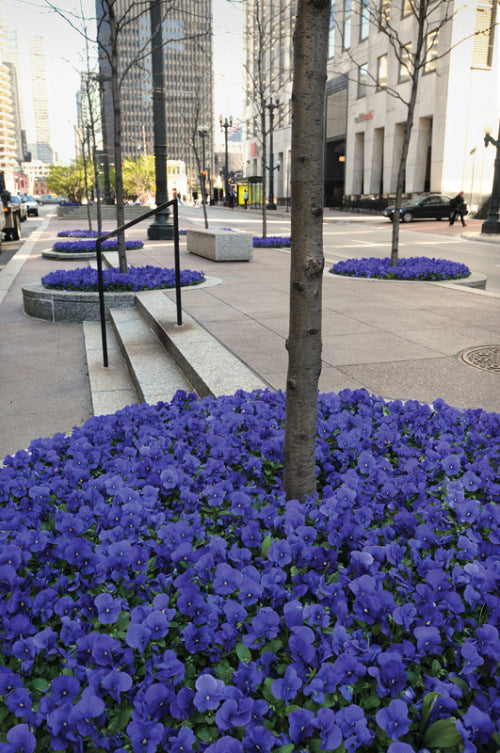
<point>111,387</point>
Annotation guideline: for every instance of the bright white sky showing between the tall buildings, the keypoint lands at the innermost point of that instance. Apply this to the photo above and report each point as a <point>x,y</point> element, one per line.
<point>65,57</point>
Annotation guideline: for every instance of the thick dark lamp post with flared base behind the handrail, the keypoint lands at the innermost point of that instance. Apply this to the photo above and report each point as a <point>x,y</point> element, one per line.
<point>162,228</point>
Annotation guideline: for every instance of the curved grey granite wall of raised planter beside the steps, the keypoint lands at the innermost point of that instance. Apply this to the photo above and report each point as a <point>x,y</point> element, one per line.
<point>71,305</point>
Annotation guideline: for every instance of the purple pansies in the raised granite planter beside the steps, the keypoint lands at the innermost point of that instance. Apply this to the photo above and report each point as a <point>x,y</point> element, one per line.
<point>137,278</point>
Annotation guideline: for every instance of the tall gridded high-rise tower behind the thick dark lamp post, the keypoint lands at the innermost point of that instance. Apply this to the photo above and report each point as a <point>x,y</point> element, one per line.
<point>188,79</point>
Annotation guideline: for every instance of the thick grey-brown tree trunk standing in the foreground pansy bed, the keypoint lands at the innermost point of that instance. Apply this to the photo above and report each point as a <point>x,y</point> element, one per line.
<point>307,261</point>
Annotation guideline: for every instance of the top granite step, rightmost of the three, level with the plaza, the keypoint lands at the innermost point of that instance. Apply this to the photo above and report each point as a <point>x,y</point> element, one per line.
<point>209,366</point>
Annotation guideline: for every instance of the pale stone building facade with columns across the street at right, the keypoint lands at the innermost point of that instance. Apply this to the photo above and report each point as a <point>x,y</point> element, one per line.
<point>367,92</point>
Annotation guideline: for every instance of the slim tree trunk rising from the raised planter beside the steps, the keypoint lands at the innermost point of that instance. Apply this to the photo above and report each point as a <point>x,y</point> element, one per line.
<point>117,141</point>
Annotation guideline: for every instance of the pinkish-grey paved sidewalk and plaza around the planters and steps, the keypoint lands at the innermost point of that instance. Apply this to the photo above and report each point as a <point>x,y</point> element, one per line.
<point>396,339</point>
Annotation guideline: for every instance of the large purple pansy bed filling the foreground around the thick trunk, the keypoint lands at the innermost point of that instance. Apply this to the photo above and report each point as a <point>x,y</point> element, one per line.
<point>160,594</point>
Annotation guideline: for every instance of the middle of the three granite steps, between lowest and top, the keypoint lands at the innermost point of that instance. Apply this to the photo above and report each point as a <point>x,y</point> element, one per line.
<point>153,371</point>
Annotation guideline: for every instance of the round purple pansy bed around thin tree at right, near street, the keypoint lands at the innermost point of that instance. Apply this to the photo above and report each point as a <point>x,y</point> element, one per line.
<point>413,268</point>
